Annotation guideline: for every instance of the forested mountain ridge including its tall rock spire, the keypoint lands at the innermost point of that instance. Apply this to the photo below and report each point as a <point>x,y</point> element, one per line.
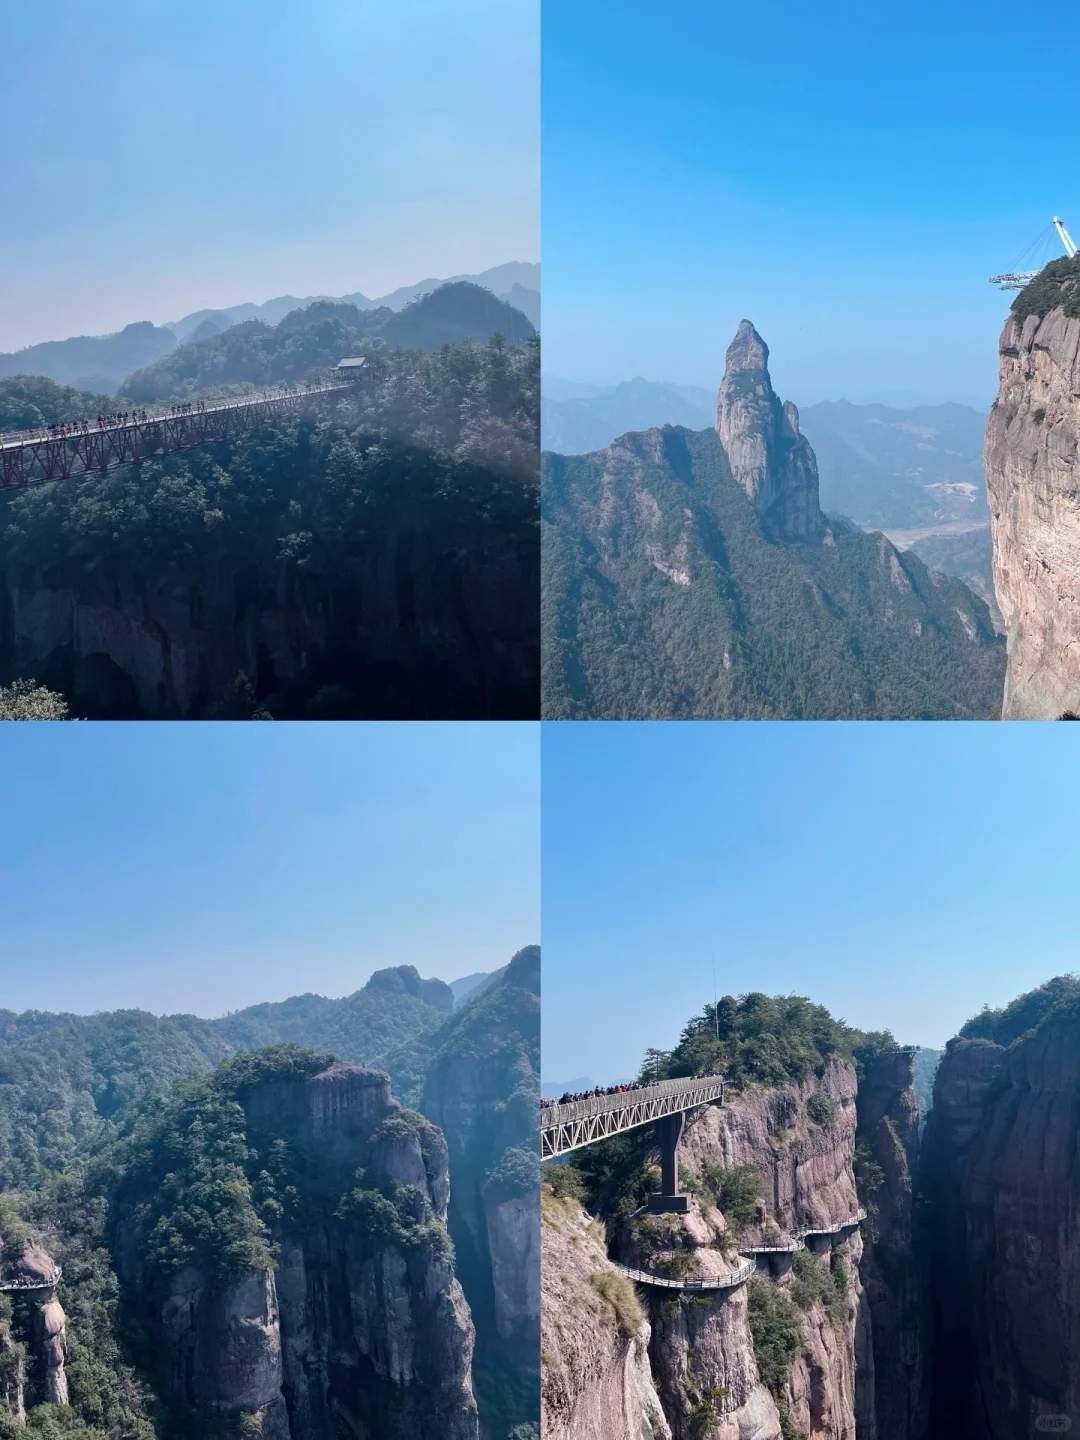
<point>693,575</point>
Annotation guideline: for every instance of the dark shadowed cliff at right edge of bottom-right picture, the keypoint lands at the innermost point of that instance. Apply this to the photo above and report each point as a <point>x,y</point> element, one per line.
<point>1006,1182</point>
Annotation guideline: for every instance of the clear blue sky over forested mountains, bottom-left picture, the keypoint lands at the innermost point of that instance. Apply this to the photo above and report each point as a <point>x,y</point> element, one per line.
<point>204,868</point>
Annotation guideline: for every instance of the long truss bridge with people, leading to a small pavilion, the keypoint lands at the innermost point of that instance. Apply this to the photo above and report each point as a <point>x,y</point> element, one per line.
<point>32,459</point>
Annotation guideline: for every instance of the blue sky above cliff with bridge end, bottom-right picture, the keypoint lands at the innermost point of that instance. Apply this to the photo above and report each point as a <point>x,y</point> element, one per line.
<point>901,875</point>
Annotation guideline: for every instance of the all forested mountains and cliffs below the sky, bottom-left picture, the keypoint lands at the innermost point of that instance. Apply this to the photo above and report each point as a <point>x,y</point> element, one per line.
<point>113,1135</point>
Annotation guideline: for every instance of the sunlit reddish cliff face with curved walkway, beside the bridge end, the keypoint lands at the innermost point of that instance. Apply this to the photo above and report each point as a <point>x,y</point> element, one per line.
<point>807,1180</point>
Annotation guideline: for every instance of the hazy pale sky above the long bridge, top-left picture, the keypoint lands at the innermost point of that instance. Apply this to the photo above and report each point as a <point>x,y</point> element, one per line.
<point>168,158</point>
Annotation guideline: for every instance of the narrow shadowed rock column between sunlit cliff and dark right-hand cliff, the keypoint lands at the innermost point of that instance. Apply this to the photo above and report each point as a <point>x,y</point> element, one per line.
<point>894,1390</point>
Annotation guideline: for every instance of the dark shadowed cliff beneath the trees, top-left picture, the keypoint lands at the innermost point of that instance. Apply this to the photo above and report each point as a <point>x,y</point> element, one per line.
<point>421,614</point>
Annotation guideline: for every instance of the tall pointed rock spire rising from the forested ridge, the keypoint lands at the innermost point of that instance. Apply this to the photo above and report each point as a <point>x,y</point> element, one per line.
<point>770,459</point>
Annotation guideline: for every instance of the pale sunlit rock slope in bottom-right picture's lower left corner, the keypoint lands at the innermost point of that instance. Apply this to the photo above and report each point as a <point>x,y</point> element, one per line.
<point>595,1338</point>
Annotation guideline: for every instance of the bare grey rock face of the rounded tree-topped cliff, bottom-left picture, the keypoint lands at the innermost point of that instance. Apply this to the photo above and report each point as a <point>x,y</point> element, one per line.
<point>359,1330</point>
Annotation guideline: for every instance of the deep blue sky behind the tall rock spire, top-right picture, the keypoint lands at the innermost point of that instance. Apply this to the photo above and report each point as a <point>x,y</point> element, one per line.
<point>845,175</point>
